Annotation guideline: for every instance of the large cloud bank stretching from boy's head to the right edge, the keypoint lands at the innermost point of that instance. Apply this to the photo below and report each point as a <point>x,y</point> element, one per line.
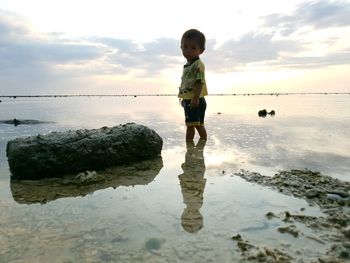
<point>304,39</point>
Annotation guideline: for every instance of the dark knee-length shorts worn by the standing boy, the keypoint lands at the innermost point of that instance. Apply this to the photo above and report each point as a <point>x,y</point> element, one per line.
<point>194,116</point>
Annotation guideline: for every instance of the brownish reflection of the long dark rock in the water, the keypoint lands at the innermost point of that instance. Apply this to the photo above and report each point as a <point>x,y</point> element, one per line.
<point>46,190</point>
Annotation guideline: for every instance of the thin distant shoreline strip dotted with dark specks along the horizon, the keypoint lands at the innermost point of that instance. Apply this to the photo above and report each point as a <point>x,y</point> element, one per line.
<point>169,95</point>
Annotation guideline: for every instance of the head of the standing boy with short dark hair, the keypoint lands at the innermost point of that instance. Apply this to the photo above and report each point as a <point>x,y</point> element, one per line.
<point>192,44</point>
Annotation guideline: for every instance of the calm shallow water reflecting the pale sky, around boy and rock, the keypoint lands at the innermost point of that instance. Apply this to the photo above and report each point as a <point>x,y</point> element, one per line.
<point>186,206</point>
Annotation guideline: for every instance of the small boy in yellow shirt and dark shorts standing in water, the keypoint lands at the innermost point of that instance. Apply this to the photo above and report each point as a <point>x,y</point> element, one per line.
<point>193,86</point>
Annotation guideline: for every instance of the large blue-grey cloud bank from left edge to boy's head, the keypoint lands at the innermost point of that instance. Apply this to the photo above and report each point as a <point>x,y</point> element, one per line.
<point>37,62</point>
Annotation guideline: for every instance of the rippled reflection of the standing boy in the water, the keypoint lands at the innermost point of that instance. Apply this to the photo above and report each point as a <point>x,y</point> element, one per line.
<point>192,183</point>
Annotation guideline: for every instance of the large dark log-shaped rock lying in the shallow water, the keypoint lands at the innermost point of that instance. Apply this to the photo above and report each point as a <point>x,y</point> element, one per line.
<point>60,153</point>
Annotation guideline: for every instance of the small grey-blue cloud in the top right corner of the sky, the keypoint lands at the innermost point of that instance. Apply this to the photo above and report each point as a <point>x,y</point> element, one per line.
<point>317,14</point>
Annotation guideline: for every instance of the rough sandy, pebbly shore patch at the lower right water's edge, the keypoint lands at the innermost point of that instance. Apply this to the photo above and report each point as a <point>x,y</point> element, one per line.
<point>333,198</point>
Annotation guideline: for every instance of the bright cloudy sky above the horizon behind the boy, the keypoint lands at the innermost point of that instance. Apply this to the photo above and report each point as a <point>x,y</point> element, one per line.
<point>50,47</point>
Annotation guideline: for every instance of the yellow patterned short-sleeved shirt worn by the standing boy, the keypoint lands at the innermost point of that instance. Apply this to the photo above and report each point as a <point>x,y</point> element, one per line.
<point>192,72</point>
